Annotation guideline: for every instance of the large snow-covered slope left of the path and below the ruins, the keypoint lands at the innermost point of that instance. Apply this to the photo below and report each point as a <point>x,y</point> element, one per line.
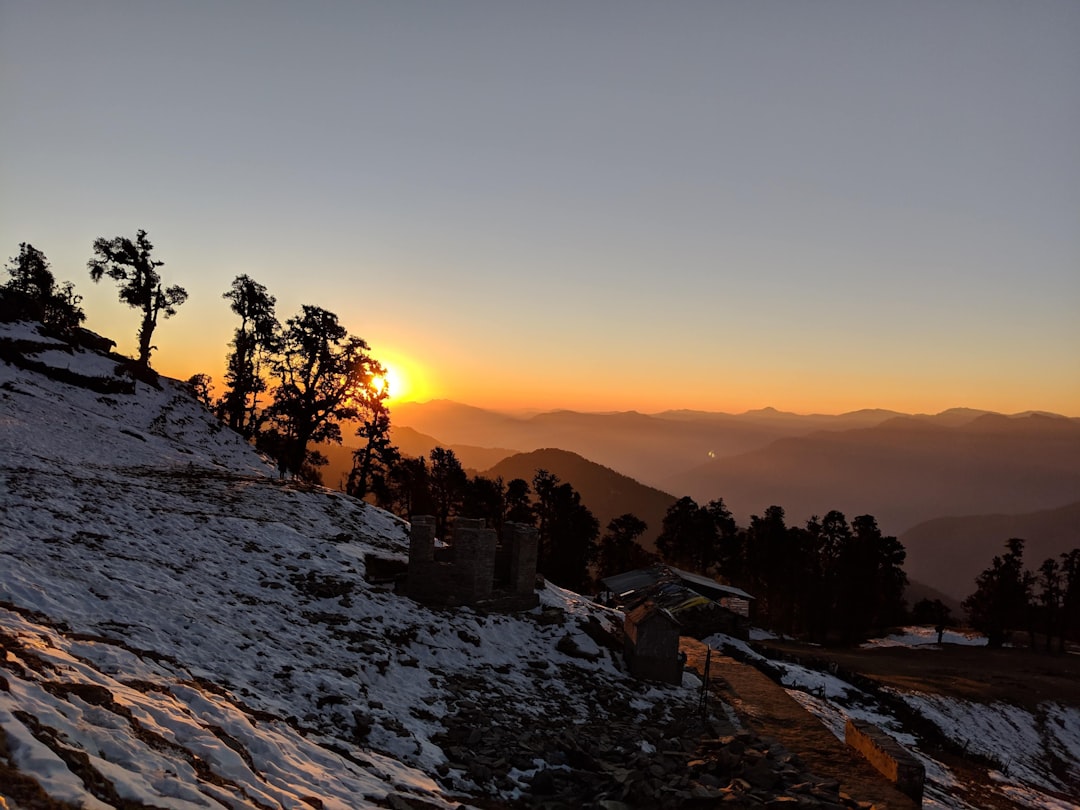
<point>182,629</point>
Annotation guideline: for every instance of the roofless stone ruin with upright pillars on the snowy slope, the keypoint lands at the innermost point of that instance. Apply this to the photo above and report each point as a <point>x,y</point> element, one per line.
<point>476,568</point>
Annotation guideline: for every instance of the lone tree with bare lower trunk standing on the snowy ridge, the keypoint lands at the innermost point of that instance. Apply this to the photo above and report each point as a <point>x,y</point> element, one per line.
<point>141,287</point>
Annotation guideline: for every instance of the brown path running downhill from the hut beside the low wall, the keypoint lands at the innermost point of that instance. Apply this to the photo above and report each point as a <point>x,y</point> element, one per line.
<point>767,710</point>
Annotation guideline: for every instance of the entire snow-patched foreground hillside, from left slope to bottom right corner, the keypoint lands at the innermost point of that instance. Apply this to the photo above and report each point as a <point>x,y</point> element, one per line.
<point>182,629</point>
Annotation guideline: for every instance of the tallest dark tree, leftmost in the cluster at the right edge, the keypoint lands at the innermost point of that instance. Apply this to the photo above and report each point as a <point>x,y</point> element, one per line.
<point>1003,596</point>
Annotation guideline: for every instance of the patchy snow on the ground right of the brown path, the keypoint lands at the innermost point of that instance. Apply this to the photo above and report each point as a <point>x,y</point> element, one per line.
<point>1028,747</point>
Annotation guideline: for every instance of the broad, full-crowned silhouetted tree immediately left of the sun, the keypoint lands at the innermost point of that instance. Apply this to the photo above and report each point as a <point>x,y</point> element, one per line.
<point>325,376</point>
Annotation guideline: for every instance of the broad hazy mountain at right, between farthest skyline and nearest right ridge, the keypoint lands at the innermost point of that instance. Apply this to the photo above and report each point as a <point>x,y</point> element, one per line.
<point>903,471</point>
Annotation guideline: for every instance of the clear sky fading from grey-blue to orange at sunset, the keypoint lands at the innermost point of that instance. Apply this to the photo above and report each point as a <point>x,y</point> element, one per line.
<point>818,206</point>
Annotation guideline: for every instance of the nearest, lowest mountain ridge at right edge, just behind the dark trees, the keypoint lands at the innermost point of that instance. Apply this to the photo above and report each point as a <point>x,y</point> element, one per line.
<point>948,553</point>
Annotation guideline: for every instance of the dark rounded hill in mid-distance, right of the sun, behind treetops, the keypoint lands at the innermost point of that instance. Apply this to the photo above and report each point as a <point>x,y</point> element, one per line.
<point>607,493</point>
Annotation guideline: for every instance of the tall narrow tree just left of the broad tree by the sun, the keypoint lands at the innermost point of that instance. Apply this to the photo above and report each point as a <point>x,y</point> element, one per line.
<point>253,345</point>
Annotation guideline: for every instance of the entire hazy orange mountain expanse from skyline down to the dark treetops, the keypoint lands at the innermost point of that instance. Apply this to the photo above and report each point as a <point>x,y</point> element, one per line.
<point>906,470</point>
